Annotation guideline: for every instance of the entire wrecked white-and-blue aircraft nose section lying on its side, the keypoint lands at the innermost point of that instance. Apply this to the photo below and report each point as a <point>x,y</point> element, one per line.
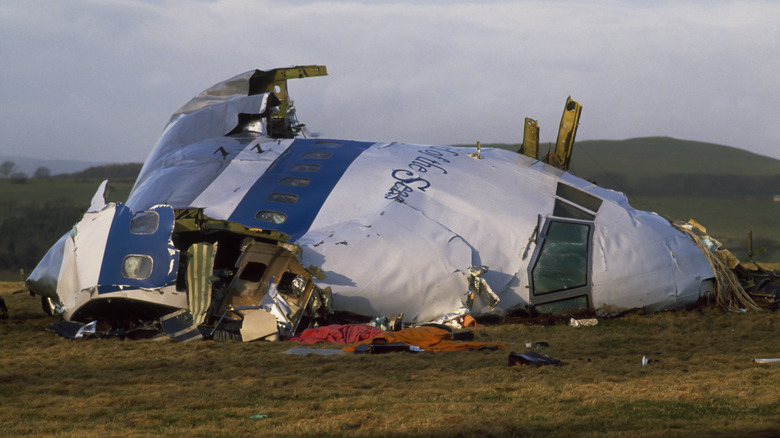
<point>238,219</point>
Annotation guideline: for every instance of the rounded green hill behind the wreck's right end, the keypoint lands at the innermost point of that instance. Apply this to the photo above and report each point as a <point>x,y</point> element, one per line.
<point>663,166</point>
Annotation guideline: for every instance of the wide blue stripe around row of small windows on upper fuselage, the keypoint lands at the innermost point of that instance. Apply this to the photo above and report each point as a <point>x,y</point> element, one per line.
<point>300,214</point>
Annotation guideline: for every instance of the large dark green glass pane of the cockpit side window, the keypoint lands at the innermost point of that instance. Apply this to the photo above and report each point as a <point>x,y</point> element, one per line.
<point>563,259</point>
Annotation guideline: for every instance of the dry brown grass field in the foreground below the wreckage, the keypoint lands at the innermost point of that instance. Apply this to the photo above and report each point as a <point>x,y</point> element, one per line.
<point>704,383</point>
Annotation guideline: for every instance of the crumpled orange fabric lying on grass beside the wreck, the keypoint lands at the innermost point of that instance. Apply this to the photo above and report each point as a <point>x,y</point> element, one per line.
<point>427,338</point>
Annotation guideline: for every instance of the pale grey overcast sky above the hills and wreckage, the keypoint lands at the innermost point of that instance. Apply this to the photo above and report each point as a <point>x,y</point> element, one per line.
<point>98,80</point>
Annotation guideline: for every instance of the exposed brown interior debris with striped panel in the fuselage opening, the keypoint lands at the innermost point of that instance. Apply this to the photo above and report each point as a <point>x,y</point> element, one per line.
<point>266,294</point>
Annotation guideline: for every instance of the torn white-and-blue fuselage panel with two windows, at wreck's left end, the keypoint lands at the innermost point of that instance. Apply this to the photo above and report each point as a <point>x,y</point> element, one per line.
<point>111,256</point>
